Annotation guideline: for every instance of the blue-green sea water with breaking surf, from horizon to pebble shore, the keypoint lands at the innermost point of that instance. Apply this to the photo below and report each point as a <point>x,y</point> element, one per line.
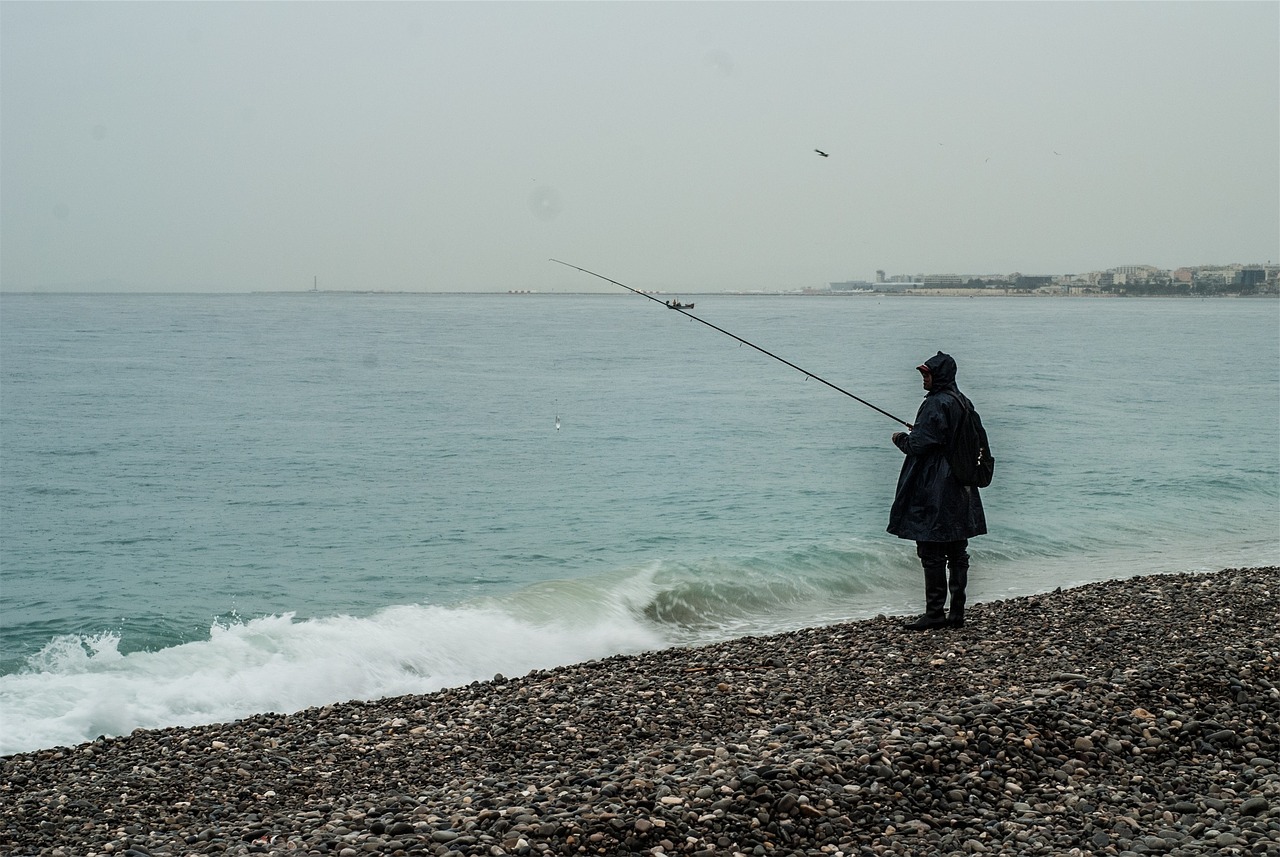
<point>216,506</point>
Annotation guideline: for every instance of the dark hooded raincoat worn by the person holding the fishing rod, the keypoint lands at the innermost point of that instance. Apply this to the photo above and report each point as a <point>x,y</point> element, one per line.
<point>931,505</point>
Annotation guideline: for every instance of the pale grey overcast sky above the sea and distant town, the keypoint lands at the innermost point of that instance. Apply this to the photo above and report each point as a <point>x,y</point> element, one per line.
<point>458,146</point>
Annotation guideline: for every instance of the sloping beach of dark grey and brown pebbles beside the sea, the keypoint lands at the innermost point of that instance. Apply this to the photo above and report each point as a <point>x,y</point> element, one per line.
<point>1135,717</point>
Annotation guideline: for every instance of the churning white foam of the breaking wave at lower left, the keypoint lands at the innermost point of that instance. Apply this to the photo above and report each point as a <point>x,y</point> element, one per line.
<point>81,688</point>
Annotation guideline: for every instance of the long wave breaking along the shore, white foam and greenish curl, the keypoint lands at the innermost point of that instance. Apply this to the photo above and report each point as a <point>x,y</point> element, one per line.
<point>84,686</point>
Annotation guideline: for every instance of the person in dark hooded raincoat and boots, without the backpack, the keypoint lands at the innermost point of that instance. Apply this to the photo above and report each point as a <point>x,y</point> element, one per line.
<point>932,507</point>
